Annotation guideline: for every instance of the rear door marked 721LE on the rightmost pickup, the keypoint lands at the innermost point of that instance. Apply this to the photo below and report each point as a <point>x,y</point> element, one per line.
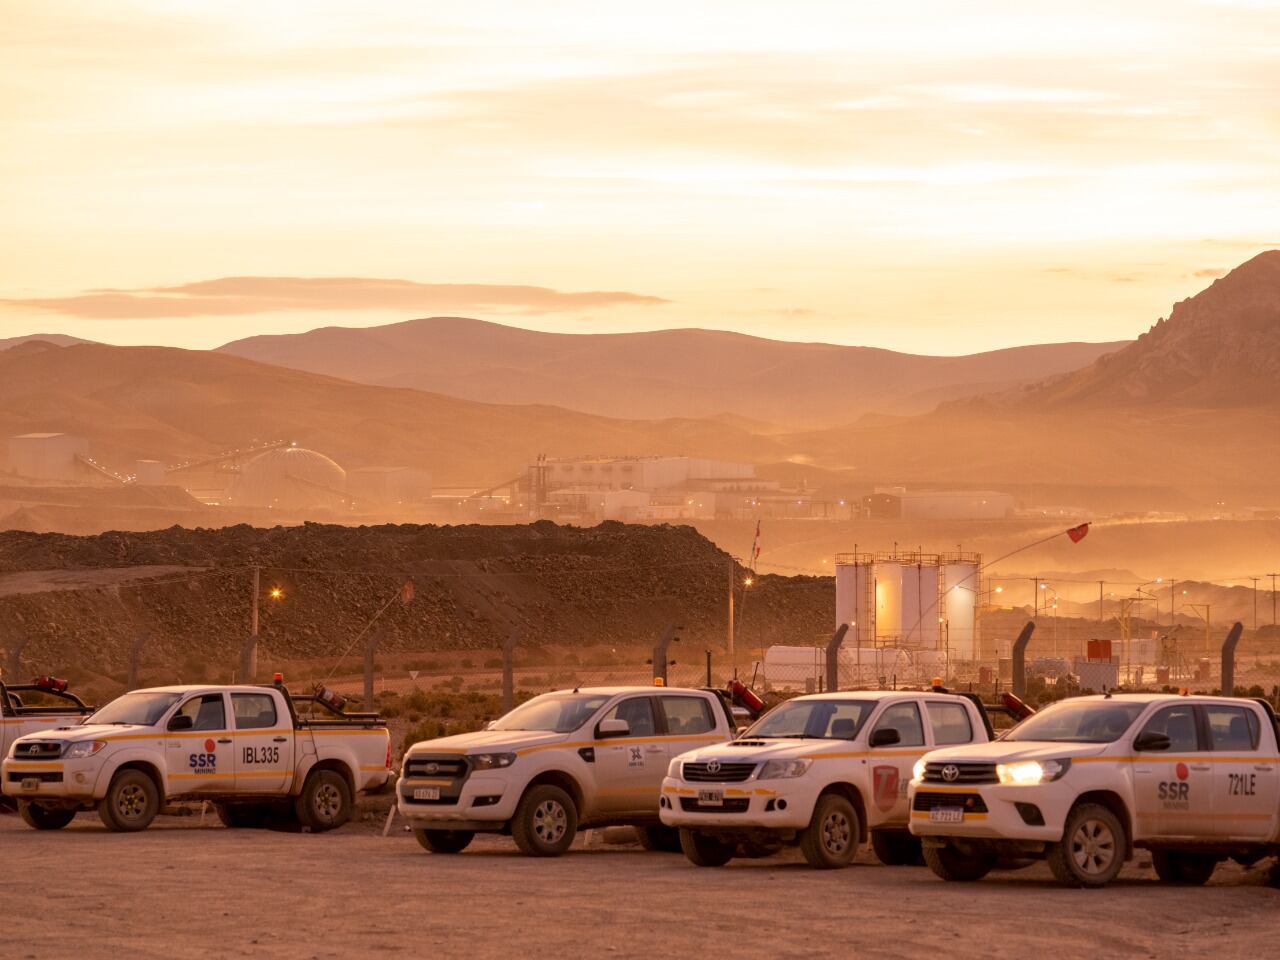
<point>1246,780</point>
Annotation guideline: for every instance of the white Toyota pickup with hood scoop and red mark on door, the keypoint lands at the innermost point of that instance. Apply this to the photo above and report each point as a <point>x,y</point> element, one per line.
<point>826,771</point>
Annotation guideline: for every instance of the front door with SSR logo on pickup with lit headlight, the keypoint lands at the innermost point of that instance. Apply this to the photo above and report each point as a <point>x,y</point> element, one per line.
<point>1174,789</point>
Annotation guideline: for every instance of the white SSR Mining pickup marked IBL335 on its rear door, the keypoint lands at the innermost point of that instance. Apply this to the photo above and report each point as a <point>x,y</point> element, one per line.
<point>245,748</point>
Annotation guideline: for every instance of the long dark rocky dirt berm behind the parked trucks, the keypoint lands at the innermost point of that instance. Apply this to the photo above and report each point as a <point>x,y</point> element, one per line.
<point>569,587</point>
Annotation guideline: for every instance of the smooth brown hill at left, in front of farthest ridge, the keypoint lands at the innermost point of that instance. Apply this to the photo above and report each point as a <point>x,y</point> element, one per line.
<point>167,404</point>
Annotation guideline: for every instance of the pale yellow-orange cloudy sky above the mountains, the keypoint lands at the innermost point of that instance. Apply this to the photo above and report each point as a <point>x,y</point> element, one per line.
<point>906,176</point>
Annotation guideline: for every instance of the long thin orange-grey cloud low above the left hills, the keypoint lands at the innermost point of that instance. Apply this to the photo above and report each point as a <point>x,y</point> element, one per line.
<point>235,296</point>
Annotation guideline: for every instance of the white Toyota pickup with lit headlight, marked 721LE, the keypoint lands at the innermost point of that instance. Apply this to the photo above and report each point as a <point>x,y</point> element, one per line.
<point>1086,781</point>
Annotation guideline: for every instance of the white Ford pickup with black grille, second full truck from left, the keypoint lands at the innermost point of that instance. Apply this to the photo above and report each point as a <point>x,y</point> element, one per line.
<point>591,757</point>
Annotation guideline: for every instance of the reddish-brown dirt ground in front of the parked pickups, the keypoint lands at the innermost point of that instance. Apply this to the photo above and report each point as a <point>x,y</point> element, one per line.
<point>184,892</point>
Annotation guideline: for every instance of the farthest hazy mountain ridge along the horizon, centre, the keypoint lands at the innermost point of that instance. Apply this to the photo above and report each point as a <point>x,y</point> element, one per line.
<point>660,374</point>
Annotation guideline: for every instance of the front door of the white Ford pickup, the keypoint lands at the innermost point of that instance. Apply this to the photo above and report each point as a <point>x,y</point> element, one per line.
<point>629,770</point>
